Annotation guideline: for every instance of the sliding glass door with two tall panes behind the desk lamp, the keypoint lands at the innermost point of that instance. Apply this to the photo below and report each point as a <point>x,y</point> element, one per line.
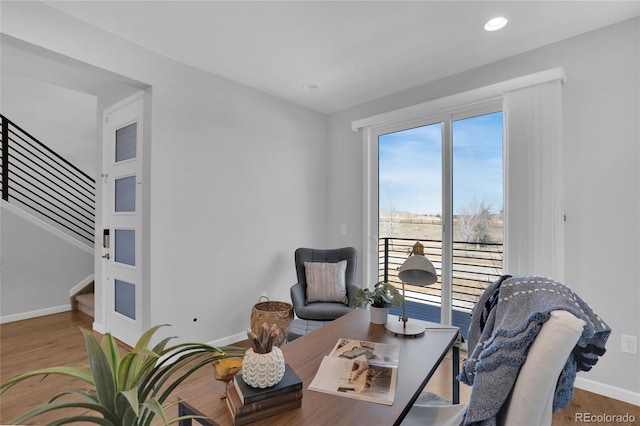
<point>439,181</point>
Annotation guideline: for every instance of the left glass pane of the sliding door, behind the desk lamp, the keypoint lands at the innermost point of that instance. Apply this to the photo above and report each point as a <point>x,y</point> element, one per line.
<point>410,209</point>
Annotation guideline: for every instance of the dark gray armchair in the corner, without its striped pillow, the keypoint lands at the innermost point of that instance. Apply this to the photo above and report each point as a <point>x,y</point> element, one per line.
<point>323,310</point>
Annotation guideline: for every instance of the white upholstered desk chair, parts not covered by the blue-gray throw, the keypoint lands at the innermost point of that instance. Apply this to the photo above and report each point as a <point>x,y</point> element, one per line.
<point>531,399</point>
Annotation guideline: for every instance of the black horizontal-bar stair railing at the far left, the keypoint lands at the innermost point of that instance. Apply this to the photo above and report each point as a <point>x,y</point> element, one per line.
<point>43,182</point>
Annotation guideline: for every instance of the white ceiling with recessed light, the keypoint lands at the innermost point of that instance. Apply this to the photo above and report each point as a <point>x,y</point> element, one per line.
<point>354,51</point>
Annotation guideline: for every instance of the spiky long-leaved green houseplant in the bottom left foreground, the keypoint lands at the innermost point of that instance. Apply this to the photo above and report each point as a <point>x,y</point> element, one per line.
<point>129,389</point>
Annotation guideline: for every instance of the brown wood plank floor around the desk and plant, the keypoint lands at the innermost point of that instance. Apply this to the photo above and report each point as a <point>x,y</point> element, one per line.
<point>56,340</point>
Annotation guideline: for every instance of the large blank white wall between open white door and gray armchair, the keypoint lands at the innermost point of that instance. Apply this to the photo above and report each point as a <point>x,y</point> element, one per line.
<point>237,178</point>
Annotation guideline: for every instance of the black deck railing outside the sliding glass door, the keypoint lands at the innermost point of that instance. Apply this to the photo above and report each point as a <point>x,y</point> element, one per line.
<point>475,266</point>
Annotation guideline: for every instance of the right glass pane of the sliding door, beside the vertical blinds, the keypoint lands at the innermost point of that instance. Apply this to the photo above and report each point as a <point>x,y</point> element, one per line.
<point>478,207</point>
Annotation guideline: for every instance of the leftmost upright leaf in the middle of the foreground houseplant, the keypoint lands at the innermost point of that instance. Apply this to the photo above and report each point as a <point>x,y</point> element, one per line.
<point>101,371</point>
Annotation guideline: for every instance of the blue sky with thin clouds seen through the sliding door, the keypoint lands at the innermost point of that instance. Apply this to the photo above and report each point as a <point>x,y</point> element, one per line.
<point>410,166</point>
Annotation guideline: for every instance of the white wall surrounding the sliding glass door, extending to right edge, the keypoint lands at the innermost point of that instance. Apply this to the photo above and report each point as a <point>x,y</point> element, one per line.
<point>602,190</point>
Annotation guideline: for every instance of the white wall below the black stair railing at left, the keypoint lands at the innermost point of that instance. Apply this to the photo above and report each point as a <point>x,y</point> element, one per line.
<point>40,265</point>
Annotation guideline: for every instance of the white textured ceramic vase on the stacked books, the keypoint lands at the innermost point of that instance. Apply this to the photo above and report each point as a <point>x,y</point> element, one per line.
<point>263,370</point>
